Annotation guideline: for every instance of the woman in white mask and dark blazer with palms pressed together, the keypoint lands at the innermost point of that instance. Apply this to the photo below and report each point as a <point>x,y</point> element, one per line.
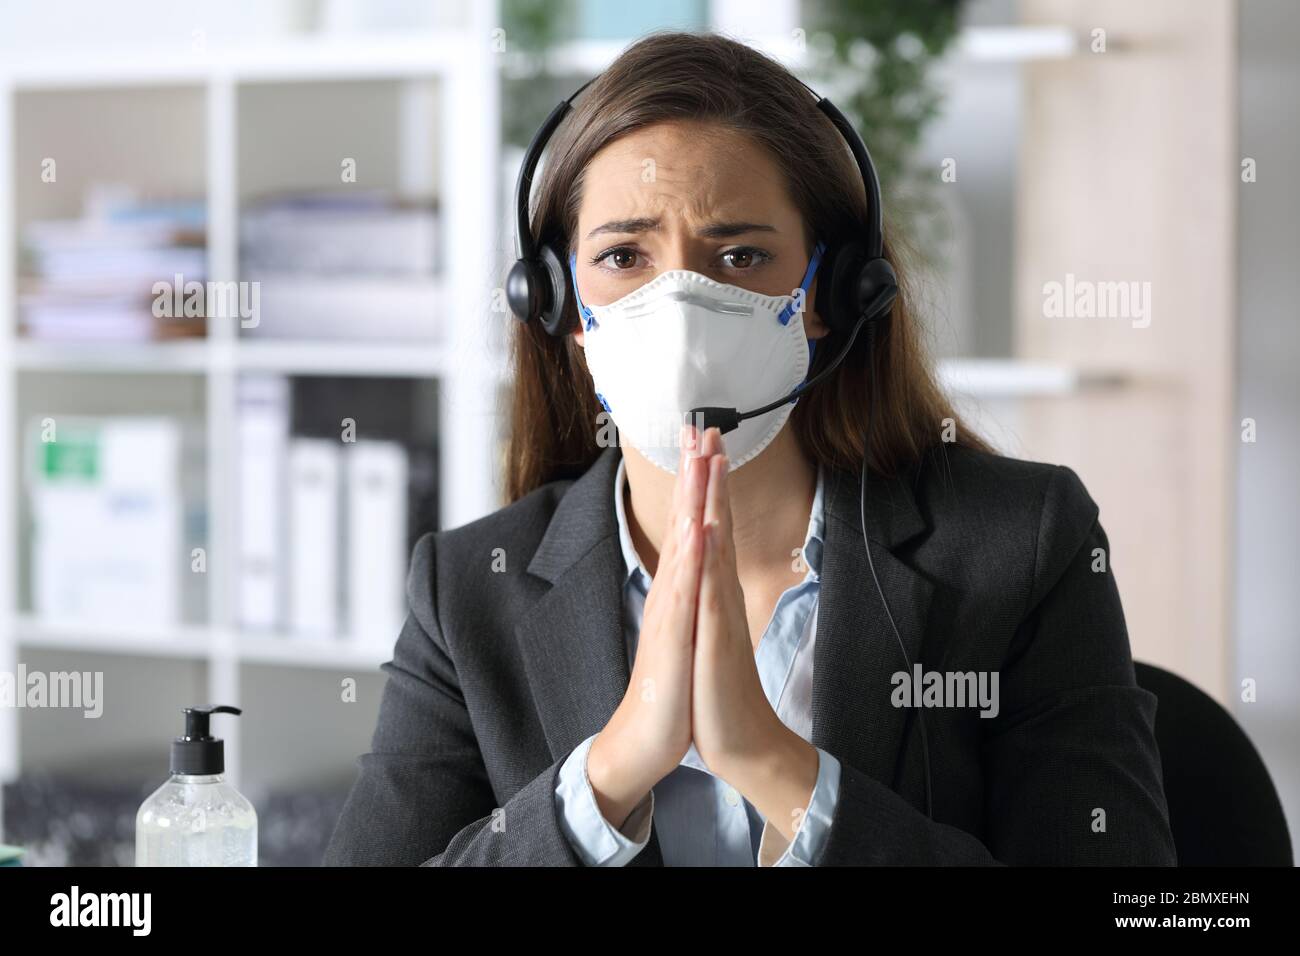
<point>682,652</point>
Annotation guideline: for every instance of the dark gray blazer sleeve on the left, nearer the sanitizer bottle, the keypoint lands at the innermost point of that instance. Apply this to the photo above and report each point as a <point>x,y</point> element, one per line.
<point>423,795</point>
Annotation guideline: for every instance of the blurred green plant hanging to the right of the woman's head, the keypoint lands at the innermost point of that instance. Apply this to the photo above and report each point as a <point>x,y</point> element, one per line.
<point>877,60</point>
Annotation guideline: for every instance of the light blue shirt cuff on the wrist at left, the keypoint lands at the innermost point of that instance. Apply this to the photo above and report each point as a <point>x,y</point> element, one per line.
<point>595,840</point>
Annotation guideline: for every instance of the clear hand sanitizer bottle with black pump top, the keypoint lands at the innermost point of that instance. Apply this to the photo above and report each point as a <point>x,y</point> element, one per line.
<point>197,819</point>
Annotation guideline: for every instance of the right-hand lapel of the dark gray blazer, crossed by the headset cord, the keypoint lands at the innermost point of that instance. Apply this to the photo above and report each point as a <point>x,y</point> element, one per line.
<point>857,654</point>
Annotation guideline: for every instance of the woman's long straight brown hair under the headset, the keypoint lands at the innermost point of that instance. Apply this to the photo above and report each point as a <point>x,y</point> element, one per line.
<point>675,76</point>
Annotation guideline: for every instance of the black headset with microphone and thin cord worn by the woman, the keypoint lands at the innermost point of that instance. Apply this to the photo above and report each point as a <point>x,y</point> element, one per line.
<point>863,288</point>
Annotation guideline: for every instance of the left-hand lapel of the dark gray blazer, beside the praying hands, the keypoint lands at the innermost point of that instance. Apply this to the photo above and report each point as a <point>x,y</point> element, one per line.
<point>573,642</point>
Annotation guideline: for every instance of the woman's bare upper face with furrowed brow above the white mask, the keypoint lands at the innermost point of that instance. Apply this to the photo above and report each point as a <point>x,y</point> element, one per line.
<point>690,196</point>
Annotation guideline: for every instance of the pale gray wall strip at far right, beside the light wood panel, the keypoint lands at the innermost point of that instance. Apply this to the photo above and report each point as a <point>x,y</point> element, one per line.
<point>1268,514</point>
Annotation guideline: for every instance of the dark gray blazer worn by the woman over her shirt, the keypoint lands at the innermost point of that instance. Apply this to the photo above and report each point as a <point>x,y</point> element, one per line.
<point>987,564</point>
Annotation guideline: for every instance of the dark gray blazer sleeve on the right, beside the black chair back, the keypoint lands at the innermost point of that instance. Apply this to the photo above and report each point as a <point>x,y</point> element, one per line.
<point>1072,769</point>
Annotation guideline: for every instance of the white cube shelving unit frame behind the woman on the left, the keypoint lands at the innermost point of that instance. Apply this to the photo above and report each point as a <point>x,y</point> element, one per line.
<point>461,72</point>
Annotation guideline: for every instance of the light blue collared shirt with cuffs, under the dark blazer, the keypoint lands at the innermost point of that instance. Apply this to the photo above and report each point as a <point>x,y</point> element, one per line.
<point>701,820</point>
